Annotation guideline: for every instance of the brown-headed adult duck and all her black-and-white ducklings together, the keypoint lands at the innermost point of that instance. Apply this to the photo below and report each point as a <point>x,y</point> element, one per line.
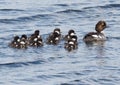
<point>55,37</point>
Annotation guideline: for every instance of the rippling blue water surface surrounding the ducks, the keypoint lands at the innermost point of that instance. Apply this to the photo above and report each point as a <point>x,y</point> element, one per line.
<point>97,64</point>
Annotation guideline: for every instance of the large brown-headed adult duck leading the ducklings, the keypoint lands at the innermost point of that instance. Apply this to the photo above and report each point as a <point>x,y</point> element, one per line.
<point>98,35</point>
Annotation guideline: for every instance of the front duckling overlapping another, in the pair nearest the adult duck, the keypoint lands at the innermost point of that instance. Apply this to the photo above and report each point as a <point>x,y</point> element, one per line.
<point>71,44</point>
